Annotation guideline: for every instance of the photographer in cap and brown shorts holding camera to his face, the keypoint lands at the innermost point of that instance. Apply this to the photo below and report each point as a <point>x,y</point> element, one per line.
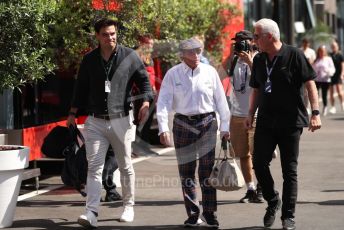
<point>242,138</point>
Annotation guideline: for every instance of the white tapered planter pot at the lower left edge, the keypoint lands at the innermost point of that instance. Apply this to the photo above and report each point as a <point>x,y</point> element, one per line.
<point>12,165</point>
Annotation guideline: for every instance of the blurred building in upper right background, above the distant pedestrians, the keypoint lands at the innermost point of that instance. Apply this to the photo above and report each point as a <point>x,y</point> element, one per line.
<point>301,18</point>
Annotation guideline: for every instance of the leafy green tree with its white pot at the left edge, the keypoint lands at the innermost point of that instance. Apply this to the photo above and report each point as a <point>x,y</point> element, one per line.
<point>24,58</point>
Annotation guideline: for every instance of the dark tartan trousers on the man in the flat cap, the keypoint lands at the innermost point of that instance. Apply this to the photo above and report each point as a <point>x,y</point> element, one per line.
<point>196,139</point>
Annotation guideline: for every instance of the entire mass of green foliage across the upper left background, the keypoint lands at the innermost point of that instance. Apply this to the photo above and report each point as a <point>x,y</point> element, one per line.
<point>38,34</point>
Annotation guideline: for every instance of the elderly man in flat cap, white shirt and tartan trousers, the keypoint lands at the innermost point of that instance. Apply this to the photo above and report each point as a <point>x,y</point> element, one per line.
<point>194,91</point>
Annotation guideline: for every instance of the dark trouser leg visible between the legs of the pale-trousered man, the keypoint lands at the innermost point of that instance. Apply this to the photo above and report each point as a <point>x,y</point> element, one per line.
<point>110,167</point>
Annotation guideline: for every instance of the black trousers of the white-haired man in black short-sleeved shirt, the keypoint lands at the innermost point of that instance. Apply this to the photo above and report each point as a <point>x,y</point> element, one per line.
<point>265,142</point>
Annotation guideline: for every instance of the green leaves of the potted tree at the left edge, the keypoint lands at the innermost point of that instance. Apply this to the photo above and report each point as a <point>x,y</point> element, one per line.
<point>24,55</point>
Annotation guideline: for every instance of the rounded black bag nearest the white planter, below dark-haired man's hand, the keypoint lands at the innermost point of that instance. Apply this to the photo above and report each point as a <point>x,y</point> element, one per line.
<point>56,141</point>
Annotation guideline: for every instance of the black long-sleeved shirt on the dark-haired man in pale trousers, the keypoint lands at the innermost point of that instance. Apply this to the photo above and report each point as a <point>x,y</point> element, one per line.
<point>127,69</point>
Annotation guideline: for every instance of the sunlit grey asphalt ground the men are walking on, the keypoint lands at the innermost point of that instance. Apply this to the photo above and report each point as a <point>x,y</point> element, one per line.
<point>159,203</point>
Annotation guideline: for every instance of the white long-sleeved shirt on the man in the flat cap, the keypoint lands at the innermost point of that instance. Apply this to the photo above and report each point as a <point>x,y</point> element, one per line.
<point>191,92</point>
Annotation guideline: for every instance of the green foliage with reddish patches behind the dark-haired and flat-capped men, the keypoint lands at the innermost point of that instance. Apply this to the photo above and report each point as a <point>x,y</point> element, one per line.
<point>167,20</point>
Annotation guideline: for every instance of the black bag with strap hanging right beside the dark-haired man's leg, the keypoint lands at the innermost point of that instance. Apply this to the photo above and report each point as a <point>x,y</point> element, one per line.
<point>74,172</point>
